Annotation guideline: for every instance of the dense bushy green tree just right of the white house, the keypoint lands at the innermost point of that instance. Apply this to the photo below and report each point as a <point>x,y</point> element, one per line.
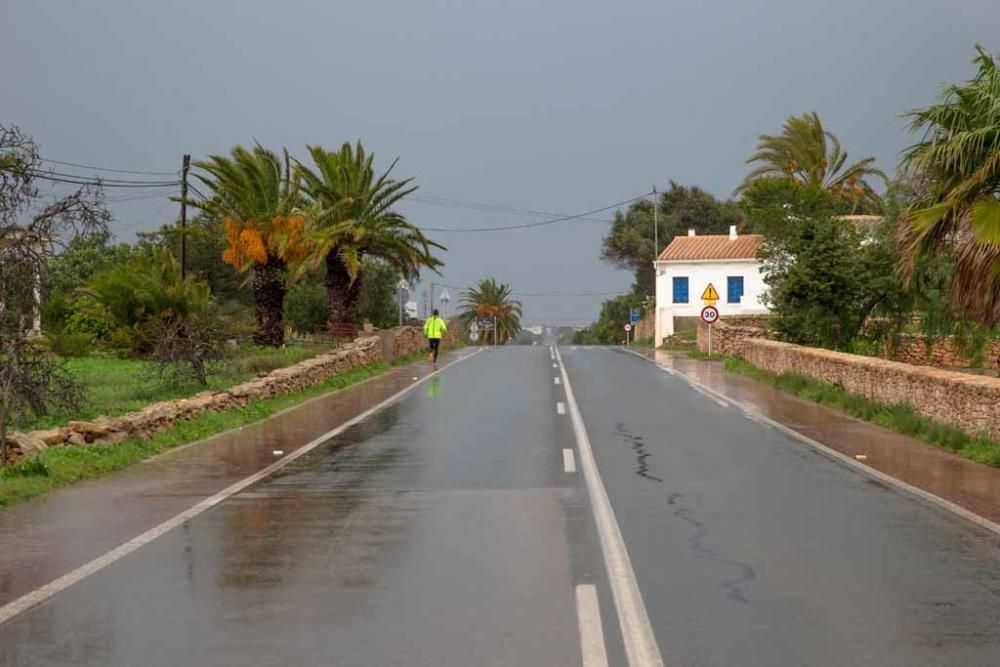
<point>824,276</point>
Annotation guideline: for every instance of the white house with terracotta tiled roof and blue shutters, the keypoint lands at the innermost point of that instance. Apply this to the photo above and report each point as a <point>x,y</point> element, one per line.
<point>686,267</point>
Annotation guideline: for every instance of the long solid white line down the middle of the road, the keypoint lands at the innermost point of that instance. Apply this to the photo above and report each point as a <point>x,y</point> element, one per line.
<point>637,633</point>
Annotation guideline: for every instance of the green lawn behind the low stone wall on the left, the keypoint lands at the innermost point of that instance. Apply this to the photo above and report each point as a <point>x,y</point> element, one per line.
<point>115,386</point>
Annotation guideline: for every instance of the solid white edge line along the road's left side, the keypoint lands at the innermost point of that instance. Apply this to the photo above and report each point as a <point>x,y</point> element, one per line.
<point>43,593</point>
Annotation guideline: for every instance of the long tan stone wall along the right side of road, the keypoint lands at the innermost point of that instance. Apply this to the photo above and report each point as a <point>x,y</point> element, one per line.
<point>968,402</point>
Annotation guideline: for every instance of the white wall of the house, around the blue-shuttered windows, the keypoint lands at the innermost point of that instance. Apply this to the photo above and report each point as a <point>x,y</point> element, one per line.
<point>699,274</point>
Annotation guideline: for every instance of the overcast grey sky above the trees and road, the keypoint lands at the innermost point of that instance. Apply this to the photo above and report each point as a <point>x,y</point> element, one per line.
<point>557,105</point>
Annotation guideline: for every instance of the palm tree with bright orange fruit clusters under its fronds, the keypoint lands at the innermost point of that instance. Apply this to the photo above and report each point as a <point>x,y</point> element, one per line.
<point>257,198</point>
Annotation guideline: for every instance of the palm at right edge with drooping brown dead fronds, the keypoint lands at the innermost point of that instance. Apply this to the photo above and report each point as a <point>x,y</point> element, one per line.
<point>957,168</point>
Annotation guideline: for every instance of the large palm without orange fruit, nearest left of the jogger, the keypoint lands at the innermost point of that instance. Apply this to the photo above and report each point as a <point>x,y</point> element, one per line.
<point>351,217</point>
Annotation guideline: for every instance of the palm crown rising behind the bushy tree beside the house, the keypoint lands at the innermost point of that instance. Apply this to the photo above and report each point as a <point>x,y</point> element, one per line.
<point>811,155</point>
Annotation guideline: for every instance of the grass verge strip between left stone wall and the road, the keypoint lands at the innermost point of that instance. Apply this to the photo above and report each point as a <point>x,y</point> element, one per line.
<point>60,466</point>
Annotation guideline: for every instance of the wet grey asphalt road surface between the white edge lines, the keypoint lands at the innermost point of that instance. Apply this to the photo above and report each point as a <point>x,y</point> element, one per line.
<point>445,531</point>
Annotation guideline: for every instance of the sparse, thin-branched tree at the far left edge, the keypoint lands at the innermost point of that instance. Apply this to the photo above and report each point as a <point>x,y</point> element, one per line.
<point>31,380</point>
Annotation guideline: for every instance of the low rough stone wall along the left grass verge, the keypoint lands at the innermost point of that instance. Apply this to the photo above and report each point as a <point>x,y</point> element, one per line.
<point>160,416</point>
